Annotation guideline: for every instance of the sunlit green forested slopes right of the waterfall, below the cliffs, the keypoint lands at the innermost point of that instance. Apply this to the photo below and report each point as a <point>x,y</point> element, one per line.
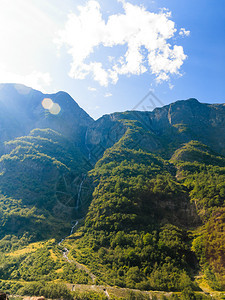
<point>137,230</point>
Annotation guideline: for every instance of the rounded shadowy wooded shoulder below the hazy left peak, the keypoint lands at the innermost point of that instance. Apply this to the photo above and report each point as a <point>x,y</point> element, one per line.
<point>44,170</point>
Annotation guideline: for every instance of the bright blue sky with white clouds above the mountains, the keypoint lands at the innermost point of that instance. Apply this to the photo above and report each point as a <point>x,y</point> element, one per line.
<point>108,54</point>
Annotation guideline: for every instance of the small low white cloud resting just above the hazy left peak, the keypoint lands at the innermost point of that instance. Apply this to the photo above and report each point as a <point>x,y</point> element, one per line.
<point>36,80</point>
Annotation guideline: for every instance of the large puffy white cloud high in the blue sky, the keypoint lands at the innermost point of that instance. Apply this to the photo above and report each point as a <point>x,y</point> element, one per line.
<point>145,34</point>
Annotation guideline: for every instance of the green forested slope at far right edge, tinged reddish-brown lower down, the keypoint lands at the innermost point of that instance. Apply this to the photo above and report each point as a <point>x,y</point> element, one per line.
<point>203,173</point>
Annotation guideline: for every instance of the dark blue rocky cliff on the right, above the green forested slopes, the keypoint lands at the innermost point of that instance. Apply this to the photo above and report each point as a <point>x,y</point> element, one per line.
<point>164,129</point>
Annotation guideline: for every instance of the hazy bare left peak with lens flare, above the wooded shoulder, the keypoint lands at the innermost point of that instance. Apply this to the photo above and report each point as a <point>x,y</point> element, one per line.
<point>21,111</point>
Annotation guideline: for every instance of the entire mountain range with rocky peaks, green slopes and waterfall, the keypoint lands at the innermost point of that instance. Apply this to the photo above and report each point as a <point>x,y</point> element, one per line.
<point>139,196</point>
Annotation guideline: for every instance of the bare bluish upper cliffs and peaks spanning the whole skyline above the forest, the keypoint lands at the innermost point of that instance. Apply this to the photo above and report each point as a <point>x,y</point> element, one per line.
<point>163,129</point>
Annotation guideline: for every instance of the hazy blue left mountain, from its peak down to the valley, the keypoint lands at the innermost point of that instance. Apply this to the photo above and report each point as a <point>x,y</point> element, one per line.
<point>41,170</point>
